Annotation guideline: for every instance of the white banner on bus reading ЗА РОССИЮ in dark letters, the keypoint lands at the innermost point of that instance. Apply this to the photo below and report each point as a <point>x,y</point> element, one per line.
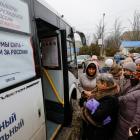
<point>16,59</point>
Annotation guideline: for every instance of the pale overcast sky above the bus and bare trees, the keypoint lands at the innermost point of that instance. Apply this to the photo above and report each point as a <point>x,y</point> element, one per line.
<point>84,15</point>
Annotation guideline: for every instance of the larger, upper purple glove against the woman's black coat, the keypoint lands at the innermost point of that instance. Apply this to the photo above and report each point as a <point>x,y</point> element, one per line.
<point>92,105</point>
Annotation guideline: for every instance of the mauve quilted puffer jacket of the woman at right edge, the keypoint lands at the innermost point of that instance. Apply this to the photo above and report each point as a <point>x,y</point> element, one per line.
<point>129,115</point>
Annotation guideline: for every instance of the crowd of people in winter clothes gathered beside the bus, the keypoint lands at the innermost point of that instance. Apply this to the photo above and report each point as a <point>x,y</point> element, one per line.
<point>110,100</point>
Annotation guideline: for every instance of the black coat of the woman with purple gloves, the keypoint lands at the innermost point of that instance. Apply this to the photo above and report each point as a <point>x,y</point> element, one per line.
<point>108,107</point>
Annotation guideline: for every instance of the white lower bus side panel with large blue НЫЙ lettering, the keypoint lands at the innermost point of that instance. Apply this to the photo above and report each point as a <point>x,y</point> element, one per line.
<point>22,112</point>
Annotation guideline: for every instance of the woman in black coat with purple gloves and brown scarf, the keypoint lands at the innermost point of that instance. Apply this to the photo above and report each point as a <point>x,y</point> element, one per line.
<point>100,111</point>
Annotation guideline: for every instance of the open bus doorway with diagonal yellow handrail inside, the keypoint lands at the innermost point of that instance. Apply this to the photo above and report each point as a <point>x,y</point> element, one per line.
<point>53,84</point>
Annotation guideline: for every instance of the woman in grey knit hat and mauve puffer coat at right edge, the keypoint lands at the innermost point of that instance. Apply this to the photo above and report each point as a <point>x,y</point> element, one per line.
<point>129,104</point>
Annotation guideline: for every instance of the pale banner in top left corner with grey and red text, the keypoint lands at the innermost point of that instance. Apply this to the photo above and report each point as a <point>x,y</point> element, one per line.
<point>14,14</point>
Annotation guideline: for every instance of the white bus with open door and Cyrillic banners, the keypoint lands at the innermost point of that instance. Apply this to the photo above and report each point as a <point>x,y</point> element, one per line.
<point>38,70</point>
